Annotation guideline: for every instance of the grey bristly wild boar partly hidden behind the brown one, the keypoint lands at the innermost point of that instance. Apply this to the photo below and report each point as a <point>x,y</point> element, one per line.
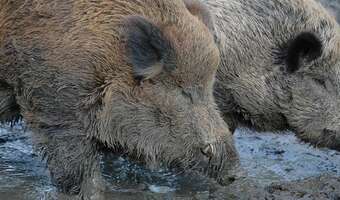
<point>280,67</point>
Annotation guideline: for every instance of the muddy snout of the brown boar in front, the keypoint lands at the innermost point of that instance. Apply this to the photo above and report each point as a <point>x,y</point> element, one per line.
<point>214,147</point>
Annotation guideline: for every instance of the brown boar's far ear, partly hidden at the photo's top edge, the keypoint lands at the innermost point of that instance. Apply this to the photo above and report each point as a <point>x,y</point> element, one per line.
<point>201,11</point>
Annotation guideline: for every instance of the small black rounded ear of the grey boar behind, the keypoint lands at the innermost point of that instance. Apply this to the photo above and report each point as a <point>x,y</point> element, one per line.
<point>306,47</point>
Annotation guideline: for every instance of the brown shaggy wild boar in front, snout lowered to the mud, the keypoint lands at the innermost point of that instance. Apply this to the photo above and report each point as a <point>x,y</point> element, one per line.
<point>132,75</point>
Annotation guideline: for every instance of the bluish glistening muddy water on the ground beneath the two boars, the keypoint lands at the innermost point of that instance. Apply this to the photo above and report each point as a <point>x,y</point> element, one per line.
<point>268,158</point>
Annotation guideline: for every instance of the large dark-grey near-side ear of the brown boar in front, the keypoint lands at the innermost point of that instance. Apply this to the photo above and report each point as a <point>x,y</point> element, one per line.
<point>146,47</point>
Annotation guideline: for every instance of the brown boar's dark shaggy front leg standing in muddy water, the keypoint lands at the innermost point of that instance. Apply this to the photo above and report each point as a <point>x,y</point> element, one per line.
<point>72,159</point>
